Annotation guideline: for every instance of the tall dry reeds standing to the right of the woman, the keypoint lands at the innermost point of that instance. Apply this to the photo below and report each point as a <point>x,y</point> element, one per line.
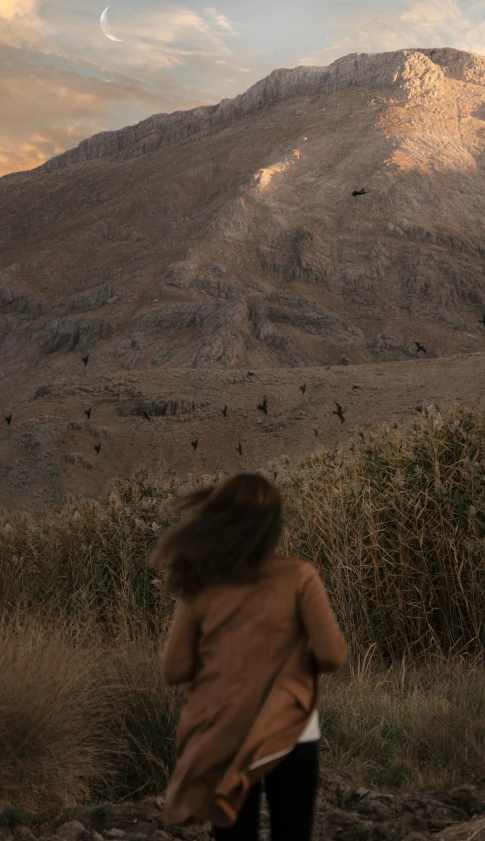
<point>396,523</point>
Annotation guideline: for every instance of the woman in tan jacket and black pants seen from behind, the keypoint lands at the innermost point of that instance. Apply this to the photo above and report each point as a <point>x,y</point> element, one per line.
<point>251,632</point>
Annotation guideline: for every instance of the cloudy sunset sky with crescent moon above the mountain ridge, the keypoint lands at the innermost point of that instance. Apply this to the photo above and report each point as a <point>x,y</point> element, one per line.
<point>63,80</point>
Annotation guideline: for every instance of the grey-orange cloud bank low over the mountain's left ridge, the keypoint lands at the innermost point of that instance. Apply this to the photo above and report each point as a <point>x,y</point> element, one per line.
<point>51,109</point>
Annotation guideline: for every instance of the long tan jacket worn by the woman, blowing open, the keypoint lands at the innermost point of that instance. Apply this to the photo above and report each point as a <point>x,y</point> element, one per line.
<point>252,654</point>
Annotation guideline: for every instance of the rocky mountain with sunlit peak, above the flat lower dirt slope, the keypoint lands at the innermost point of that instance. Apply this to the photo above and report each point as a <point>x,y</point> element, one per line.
<point>227,237</point>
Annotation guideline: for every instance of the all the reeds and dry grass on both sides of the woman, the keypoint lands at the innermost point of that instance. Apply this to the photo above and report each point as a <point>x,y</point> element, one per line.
<point>396,523</point>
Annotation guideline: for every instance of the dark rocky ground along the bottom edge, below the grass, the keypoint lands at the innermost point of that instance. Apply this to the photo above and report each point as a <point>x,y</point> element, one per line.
<point>344,813</point>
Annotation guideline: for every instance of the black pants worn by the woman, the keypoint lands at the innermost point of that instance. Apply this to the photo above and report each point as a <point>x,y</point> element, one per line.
<point>290,792</point>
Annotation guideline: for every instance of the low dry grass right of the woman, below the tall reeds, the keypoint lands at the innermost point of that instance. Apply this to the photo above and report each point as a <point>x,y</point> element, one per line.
<point>416,726</point>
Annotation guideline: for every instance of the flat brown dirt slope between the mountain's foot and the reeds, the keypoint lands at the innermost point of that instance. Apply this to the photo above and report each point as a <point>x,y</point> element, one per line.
<point>49,447</point>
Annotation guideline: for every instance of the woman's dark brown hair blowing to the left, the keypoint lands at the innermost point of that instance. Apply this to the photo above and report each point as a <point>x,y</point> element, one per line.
<point>236,528</point>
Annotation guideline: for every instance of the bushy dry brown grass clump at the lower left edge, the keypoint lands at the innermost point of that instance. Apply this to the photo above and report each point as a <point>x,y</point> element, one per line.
<point>52,719</point>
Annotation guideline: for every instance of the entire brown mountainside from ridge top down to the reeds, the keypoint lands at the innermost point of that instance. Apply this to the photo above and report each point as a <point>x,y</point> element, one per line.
<point>186,250</point>
